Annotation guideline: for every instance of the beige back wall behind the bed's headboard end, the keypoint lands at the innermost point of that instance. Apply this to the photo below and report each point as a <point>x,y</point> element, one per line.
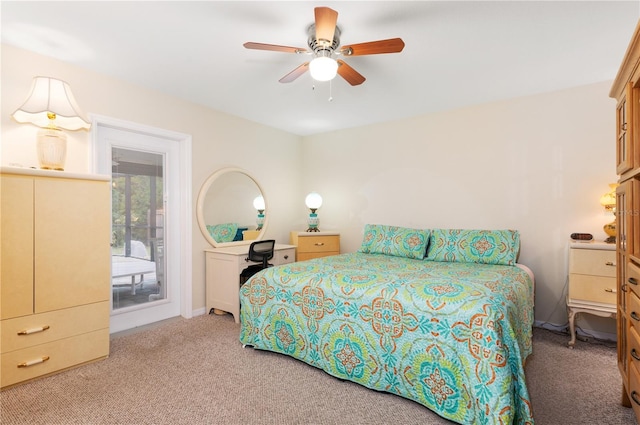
<point>537,164</point>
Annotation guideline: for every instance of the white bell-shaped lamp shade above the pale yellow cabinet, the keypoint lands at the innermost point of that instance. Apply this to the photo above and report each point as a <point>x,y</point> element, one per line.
<point>51,99</point>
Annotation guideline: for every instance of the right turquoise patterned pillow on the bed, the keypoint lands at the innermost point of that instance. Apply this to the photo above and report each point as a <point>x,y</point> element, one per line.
<point>475,246</point>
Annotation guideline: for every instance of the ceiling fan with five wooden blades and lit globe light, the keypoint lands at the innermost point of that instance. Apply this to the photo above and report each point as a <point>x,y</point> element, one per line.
<point>324,44</point>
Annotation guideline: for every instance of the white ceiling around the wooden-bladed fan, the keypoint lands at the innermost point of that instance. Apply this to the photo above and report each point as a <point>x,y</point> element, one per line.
<point>457,53</point>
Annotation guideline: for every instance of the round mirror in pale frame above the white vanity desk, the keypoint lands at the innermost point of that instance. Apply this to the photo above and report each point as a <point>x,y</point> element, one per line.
<point>225,208</point>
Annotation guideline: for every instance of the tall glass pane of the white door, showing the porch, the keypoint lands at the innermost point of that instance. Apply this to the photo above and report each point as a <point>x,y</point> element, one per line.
<point>137,214</point>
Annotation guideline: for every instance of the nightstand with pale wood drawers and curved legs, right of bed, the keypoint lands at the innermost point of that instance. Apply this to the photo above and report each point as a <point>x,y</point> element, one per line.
<point>592,281</point>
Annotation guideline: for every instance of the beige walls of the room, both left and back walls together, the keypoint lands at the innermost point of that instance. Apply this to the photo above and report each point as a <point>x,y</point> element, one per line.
<point>538,164</point>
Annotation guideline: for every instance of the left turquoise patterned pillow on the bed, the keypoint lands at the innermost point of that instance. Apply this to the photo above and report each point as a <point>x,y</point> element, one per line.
<point>396,241</point>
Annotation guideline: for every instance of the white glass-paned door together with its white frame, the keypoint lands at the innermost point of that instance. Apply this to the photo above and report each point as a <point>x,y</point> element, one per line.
<point>151,226</point>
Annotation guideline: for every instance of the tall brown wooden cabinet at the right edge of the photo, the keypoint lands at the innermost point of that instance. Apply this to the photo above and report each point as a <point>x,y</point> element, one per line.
<point>625,90</point>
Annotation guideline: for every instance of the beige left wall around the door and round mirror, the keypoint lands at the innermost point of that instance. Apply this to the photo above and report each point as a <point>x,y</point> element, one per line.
<point>218,139</point>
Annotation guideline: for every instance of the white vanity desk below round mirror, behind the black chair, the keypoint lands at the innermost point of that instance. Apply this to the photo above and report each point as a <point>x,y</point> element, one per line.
<point>223,268</point>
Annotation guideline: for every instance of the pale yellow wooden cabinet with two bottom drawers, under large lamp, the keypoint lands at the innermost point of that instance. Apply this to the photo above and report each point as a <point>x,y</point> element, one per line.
<point>54,273</point>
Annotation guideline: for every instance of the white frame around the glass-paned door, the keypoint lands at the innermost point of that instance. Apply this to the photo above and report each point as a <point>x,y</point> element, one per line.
<point>185,194</point>
